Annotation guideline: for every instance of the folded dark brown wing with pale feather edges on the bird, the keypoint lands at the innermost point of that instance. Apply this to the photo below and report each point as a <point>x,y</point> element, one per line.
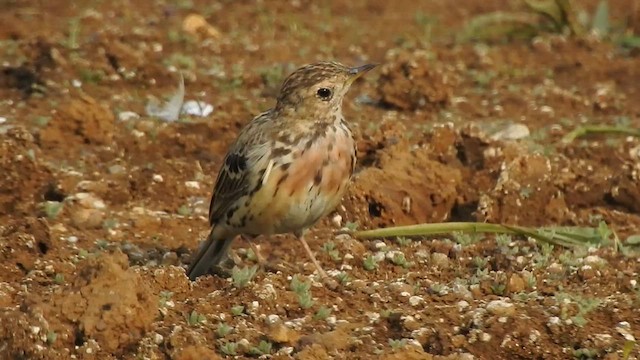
<point>240,170</point>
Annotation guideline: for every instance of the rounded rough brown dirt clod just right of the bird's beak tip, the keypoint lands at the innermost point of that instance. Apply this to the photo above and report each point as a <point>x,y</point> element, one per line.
<point>411,81</point>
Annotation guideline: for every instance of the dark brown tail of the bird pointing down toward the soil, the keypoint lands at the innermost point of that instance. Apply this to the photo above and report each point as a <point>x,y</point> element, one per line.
<point>211,252</point>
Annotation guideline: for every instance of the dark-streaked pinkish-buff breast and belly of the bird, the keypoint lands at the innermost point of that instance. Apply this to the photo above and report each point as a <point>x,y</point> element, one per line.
<point>307,181</point>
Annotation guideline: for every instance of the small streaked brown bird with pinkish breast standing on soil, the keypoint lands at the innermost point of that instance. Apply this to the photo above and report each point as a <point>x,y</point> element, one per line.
<point>289,166</point>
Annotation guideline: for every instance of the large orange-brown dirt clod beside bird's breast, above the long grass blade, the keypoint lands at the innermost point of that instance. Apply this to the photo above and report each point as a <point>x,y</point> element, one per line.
<point>407,188</point>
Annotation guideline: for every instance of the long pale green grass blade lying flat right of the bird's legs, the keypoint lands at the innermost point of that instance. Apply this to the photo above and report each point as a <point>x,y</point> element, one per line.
<point>561,236</point>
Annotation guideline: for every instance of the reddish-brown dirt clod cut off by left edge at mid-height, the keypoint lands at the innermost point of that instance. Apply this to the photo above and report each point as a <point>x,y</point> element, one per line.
<point>23,177</point>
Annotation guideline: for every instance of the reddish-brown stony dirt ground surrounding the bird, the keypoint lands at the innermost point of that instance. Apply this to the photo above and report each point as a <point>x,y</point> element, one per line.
<point>101,205</point>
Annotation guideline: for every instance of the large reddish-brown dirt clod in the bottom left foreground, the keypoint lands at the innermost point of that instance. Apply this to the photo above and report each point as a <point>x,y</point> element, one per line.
<point>107,302</point>
